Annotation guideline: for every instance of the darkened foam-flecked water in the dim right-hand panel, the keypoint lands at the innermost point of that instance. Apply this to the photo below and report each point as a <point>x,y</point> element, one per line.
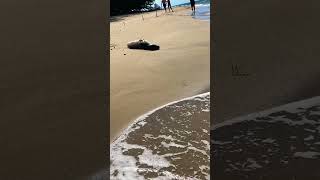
<point>279,142</point>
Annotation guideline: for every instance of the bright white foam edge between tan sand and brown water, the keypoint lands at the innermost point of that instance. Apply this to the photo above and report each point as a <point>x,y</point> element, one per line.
<point>144,116</point>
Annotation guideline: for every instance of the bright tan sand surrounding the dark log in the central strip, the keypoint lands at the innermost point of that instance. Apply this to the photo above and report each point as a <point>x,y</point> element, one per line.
<point>143,80</point>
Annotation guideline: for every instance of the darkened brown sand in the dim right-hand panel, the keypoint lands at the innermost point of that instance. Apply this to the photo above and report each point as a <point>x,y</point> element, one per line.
<point>276,42</point>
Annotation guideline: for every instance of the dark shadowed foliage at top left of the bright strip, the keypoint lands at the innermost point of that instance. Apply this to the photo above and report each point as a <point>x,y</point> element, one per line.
<point>129,6</point>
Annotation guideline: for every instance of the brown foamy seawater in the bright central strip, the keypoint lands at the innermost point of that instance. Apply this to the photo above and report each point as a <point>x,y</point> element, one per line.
<point>170,142</point>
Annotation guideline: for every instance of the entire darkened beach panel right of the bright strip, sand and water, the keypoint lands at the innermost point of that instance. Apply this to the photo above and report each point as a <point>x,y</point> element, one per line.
<point>266,55</point>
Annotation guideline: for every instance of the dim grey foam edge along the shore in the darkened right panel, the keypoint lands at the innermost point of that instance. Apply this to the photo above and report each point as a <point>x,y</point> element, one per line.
<point>311,101</point>
